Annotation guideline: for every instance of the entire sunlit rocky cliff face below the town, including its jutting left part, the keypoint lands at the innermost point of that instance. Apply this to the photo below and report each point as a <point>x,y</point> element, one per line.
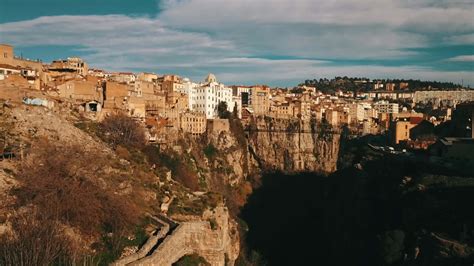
<point>284,145</point>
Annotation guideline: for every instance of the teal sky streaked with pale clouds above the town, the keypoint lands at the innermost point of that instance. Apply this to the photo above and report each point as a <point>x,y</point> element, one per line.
<point>274,42</point>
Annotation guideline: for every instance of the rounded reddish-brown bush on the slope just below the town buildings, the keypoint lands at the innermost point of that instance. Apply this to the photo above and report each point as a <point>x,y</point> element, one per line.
<point>120,129</point>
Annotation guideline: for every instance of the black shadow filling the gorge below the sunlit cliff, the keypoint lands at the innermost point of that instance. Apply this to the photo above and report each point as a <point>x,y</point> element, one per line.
<point>357,217</point>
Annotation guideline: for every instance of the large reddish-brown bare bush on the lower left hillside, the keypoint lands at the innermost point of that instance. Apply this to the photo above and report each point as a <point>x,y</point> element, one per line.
<point>57,179</point>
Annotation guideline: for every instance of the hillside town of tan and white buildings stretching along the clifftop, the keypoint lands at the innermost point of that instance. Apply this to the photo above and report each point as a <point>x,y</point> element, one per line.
<point>433,119</point>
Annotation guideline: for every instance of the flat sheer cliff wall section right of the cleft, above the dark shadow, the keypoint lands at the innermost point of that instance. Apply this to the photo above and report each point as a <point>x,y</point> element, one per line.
<point>293,145</point>
